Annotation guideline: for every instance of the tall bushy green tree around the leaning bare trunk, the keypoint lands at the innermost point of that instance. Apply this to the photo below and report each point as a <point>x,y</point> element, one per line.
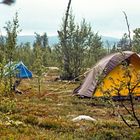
<point>80,39</point>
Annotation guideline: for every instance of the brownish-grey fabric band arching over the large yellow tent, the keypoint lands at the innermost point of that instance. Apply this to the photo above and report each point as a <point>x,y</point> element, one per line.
<point>101,70</point>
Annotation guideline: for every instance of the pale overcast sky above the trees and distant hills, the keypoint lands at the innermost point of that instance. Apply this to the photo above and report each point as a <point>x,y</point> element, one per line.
<point>105,16</point>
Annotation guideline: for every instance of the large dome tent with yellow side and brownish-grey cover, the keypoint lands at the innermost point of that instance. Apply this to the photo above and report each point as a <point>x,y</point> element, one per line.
<point>108,75</point>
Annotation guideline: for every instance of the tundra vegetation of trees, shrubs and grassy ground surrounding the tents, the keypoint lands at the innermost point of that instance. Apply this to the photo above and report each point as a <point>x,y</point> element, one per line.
<point>46,108</point>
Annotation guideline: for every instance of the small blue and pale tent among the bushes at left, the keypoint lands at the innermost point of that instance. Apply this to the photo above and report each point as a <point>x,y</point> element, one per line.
<point>19,70</point>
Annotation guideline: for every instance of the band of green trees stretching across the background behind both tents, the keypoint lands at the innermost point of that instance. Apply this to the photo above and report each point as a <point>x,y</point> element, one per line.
<point>83,48</point>
